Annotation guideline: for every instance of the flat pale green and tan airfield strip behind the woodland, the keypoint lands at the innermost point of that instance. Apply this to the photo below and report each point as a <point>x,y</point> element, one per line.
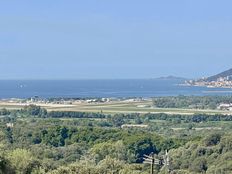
<point>113,107</point>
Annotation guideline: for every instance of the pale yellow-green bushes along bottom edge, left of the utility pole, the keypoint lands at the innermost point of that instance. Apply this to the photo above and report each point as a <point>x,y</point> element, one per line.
<point>21,161</point>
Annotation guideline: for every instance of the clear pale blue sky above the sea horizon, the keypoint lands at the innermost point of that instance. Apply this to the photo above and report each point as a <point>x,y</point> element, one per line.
<point>110,39</point>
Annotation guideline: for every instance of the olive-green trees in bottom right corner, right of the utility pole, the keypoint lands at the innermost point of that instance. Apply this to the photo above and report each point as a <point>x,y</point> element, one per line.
<point>213,154</point>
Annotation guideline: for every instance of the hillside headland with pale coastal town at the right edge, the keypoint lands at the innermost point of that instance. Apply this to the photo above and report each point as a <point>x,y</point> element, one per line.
<point>221,80</point>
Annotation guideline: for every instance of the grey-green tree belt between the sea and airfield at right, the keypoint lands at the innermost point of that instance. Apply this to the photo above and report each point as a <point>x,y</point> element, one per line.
<point>193,102</point>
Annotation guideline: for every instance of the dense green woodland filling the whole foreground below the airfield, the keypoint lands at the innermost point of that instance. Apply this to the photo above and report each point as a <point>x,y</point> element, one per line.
<point>33,140</point>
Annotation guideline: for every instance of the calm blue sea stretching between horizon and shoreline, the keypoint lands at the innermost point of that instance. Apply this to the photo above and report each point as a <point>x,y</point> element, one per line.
<point>101,88</point>
